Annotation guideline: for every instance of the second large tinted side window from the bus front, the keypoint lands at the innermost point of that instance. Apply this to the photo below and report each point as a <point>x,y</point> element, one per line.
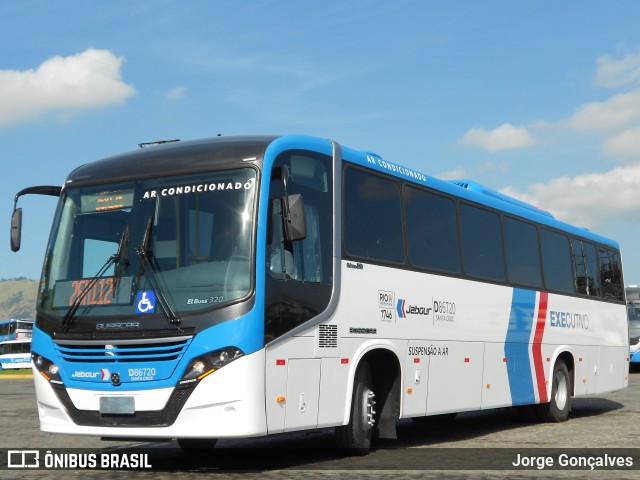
<point>432,235</point>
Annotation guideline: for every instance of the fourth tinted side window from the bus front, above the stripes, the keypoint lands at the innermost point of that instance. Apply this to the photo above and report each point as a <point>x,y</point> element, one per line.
<point>523,253</point>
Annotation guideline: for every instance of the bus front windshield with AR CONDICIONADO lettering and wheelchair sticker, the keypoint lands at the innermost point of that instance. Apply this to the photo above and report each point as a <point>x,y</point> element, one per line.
<point>115,248</point>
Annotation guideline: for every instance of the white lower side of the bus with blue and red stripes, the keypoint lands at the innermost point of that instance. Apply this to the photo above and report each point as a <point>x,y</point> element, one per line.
<point>462,345</point>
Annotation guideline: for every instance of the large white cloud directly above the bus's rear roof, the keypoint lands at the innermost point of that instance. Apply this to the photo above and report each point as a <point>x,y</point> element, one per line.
<point>589,199</point>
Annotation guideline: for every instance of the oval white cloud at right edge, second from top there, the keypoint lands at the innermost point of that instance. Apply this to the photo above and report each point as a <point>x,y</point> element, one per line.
<point>617,112</point>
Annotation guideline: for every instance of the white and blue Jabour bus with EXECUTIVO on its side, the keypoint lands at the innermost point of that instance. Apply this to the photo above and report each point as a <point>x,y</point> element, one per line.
<point>248,286</point>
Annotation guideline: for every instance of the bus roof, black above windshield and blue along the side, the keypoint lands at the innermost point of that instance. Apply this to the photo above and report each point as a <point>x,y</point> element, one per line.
<point>220,152</point>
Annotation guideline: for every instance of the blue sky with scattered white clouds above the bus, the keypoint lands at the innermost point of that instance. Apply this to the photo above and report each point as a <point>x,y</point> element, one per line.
<point>539,99</point>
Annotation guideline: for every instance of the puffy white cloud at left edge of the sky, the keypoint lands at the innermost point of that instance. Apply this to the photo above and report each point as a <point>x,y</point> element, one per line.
<point>89,79</point>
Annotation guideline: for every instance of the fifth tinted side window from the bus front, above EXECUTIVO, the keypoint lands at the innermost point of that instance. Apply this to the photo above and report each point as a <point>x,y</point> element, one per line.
<point>556,261</point>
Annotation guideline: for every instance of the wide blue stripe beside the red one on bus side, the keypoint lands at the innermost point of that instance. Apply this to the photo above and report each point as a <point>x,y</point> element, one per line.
<point>516,346</point>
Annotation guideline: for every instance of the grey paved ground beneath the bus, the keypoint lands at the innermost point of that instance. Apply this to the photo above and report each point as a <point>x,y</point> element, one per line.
<point>476,445</point>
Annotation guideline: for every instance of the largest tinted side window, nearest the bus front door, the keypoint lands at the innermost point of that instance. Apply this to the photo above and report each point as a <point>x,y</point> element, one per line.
<point>372,217</point>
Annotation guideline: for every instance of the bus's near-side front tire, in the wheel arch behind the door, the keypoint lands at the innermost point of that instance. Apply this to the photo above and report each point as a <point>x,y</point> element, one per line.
<point>355,437</point>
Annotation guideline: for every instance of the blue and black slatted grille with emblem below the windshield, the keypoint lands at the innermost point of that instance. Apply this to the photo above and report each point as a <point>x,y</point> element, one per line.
<point>123,352</point>
